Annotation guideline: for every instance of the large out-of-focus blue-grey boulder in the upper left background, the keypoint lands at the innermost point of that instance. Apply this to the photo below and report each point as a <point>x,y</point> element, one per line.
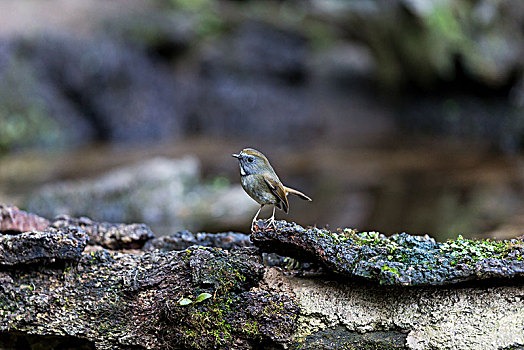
<point>118,90</point>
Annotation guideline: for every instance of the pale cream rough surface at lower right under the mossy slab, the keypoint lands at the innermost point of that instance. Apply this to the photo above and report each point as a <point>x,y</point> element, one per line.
<point>336,313</point>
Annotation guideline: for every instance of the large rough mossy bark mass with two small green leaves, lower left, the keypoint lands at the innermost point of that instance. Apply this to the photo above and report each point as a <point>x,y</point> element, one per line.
<point>120,301</point>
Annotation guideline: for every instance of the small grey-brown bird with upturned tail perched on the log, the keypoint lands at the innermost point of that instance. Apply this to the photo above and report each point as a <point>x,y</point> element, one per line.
<point>261,183</point>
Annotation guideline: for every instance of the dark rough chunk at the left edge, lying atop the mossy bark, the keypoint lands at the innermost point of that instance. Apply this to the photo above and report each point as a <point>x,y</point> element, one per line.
<point>49,246</point>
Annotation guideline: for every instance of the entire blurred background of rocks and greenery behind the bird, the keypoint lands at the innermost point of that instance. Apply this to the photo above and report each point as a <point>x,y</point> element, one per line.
<point>393,115</point>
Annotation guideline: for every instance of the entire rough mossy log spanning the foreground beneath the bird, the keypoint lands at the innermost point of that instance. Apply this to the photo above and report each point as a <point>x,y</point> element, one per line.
<point>75,294</point>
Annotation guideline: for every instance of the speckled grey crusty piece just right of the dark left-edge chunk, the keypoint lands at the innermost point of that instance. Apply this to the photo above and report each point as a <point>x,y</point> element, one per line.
<point>107,235</point>
